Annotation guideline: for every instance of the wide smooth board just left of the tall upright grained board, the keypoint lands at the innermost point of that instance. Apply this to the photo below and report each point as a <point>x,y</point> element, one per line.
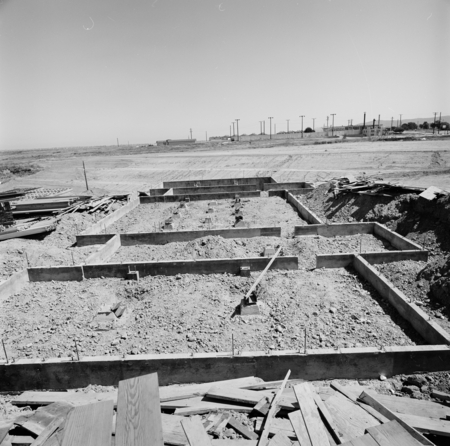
<point>89,425</point>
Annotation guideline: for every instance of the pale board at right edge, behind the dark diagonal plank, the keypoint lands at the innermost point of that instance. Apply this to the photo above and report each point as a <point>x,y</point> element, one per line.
<point>409,406</point>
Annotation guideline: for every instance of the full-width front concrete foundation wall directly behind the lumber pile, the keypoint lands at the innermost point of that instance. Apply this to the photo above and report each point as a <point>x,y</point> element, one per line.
<point>345,363</point>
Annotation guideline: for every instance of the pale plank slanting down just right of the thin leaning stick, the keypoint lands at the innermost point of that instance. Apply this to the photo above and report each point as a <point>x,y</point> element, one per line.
<point>314,425</point>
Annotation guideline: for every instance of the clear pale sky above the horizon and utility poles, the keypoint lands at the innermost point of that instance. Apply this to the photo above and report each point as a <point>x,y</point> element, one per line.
<point>86,72</point>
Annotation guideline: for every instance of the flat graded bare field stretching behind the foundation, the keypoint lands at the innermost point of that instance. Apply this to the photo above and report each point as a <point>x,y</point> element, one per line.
<point>419,163</point>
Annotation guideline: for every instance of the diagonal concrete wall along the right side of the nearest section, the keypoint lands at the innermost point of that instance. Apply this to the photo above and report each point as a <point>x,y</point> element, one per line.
<point>429,330</point>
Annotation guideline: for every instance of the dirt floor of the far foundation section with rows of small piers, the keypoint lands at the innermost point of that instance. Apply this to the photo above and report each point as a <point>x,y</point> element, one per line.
<point>273,211</point>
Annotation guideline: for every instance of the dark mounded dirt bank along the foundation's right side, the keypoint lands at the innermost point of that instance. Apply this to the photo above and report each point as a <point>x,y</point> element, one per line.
<point>424,222</point>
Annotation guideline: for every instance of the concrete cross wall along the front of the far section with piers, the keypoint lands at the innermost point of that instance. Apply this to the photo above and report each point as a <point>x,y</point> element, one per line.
<point>161,238</point>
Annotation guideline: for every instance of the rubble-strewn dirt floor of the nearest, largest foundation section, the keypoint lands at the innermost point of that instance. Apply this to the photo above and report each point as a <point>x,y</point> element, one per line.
<point>336,309</point>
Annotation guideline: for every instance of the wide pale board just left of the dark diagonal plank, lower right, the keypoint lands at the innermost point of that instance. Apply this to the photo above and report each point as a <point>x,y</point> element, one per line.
<point>349,418</point>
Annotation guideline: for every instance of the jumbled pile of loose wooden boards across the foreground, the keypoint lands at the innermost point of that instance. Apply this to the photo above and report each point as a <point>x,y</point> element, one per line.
<point>238,412</point>
